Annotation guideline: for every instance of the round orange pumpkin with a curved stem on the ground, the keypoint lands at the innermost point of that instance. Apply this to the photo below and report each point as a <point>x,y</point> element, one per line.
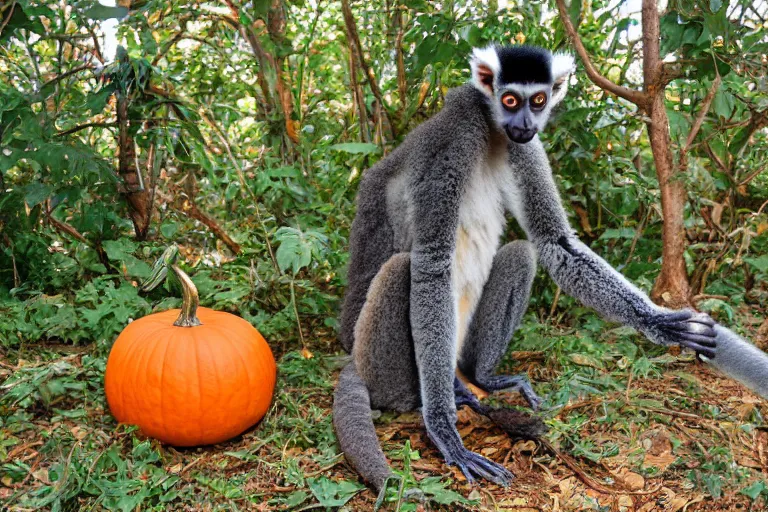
<point>201,380</point>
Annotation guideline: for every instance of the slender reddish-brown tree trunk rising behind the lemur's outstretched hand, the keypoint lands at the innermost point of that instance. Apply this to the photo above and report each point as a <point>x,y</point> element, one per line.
<point>672,287</point>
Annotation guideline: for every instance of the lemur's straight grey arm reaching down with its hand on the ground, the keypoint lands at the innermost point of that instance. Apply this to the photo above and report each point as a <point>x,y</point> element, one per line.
<point>436,186</point>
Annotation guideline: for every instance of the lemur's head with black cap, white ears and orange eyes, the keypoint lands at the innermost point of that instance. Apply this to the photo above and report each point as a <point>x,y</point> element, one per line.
<point>523,84</point>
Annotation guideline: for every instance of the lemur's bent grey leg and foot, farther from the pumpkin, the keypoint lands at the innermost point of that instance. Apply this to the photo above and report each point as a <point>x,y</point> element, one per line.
<point>501,307</point>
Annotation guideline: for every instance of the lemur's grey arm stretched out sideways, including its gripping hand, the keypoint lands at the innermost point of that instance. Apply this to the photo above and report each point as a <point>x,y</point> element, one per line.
<point>586,276</point>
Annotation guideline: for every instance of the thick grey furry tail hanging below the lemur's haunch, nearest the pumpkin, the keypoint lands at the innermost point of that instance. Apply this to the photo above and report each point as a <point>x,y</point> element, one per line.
<point>353,422</point>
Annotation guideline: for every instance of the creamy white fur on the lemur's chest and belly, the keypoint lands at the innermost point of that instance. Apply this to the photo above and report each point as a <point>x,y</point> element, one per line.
<point>481,224</point>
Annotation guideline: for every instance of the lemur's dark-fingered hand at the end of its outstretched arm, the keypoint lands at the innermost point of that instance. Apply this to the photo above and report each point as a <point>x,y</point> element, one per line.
<point>686,328</point>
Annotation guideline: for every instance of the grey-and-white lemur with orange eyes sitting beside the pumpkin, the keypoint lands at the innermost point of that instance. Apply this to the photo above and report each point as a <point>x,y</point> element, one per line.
<point>430,290</point>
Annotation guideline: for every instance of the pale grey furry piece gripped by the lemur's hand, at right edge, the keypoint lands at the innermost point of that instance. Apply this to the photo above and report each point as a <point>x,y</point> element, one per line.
<point>741,360</point>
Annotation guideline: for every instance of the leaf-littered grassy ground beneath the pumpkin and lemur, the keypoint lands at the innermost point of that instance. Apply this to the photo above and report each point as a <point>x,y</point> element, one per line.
<point>632,427</point>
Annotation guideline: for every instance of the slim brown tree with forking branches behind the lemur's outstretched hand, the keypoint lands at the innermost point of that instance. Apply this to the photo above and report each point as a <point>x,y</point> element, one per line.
<point>672,286</point>
